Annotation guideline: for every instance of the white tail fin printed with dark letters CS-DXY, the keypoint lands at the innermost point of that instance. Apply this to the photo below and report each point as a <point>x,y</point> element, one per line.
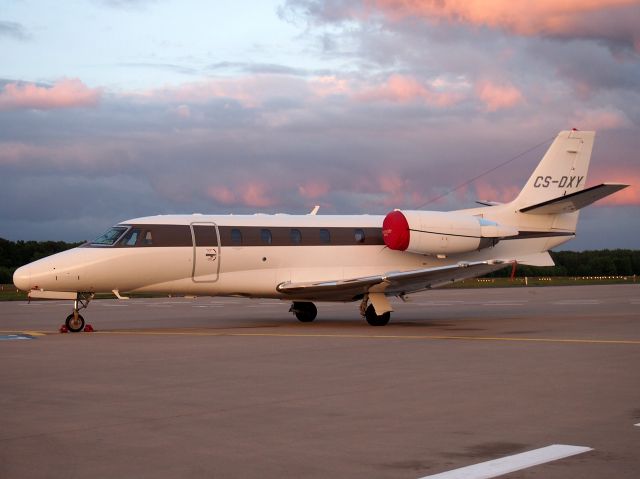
<point>562,171</point>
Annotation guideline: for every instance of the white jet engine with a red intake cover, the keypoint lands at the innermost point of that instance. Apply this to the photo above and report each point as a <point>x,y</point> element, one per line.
<point>441,233</point>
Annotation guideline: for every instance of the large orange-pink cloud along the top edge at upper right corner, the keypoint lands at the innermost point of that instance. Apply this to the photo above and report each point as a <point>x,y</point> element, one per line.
<point>606,19</point>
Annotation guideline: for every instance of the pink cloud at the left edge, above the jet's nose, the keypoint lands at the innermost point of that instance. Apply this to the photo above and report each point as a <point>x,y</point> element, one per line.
<point>66,93</point>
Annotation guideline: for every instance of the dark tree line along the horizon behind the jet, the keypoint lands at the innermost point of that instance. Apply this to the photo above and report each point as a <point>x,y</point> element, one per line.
<point>616,262</point>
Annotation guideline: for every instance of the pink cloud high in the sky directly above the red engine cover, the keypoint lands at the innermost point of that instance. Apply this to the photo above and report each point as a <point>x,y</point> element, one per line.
<point>406,89</point>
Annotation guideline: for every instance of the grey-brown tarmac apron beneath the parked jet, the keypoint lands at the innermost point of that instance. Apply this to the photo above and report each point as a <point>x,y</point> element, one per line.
<point>230,387</point>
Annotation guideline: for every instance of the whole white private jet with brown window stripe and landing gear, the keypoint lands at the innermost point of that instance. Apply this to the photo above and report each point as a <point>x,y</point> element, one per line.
<point>306,259</point>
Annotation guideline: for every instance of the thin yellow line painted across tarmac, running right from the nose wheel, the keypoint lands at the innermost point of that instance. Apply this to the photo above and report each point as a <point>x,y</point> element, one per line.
<point>371,336</point>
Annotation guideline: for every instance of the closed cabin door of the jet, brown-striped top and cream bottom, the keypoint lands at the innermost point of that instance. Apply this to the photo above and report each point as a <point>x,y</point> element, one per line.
<point>206,252</point>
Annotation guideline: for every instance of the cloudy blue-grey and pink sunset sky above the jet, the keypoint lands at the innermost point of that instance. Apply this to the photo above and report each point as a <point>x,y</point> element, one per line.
<point>115,109</point>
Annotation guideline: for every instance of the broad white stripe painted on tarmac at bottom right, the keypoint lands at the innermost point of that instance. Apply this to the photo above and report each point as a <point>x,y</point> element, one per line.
<point>505,465</point>
